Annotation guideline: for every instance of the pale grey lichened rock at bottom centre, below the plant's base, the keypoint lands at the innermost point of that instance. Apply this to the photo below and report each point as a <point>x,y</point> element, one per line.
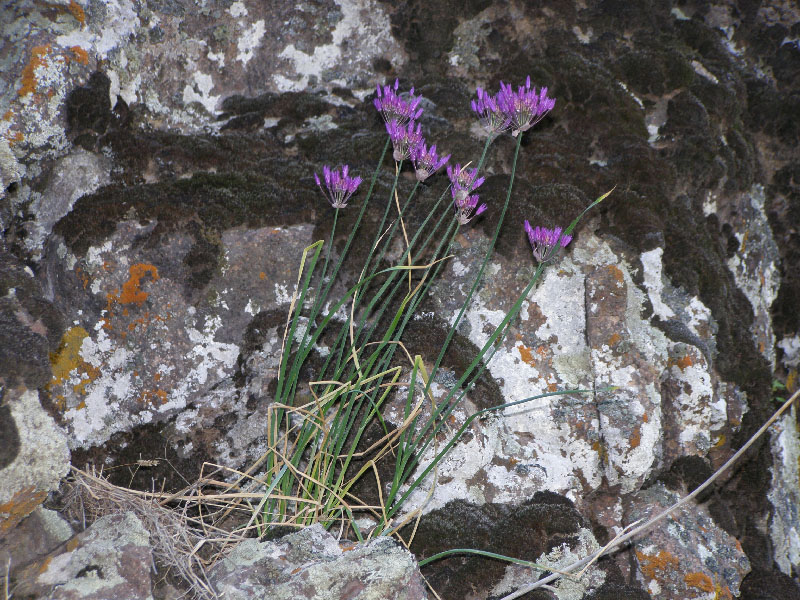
<point>311,564</point>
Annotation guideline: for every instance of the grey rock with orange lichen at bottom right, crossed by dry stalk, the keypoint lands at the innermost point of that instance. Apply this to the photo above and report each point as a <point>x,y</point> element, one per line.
<point>686,555</point>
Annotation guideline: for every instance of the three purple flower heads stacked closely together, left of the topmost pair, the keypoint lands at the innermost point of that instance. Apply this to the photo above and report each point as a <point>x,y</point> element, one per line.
<point>406,135</point>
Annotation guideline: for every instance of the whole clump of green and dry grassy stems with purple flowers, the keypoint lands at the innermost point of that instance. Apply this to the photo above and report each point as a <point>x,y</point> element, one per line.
<point>316,452</point>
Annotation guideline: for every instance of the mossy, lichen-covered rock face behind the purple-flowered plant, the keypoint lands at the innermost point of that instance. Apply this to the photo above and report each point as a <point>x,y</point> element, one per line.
<point>157,162</point>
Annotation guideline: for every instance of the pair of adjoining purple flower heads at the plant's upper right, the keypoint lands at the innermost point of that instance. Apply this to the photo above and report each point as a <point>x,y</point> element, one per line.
<point>518,110</point>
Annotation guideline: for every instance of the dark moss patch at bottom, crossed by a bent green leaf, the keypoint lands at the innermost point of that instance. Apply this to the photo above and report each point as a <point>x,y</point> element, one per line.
<point>525,531</point>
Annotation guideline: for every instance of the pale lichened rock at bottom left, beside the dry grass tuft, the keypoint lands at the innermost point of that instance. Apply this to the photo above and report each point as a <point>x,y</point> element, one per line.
<point>111,559</point>
